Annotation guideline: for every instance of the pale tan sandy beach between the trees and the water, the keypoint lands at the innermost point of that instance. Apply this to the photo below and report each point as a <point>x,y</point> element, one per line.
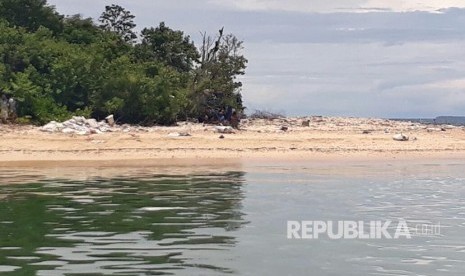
<point>308,138</point>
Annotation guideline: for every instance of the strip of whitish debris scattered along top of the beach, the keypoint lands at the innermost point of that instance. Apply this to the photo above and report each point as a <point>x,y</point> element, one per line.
<point>365,126</point>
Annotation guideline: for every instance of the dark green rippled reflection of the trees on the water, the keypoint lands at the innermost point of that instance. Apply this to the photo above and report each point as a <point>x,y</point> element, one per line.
<point>151,225</point>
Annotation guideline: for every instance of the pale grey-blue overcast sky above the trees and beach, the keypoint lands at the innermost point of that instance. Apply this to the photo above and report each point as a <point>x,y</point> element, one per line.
<point>371,58</point>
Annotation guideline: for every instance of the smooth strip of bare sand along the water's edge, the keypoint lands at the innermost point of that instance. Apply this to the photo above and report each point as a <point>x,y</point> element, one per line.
<point>136,157</point>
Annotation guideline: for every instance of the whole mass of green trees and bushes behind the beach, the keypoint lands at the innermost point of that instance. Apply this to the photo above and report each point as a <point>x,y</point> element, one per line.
<point>57,67</point>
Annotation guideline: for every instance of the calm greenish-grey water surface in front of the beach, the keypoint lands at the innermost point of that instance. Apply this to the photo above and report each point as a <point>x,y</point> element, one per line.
<point>228,220</point>
